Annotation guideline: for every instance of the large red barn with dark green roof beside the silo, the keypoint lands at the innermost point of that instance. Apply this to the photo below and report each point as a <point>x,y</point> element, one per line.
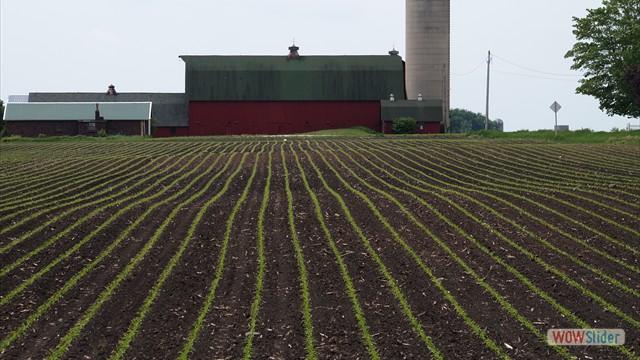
<point>233,95</point>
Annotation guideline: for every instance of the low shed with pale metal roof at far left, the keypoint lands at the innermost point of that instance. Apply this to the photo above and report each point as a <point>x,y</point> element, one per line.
<point>62,118</point>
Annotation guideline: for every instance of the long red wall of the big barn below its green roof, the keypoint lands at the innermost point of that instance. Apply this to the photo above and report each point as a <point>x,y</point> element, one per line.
<point>280,117</point>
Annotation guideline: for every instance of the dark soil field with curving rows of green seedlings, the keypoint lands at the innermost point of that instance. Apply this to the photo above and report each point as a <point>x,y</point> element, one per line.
<point>318,248</point>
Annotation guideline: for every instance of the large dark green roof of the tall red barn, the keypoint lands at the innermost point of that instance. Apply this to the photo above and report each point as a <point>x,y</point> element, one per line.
<point>273,78</point>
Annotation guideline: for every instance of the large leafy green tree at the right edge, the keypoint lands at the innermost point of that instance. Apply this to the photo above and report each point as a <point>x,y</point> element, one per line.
<point>608,51</point>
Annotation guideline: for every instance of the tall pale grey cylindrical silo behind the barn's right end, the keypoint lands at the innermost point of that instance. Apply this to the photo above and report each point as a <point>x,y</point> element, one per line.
<point>428,51</point>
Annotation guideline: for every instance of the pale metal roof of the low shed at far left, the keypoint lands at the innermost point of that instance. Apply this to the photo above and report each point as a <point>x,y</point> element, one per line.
<point>76,111</point>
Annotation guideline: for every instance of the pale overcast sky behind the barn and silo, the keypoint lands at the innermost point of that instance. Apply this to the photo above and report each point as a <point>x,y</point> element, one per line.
<point>77,46</point>
